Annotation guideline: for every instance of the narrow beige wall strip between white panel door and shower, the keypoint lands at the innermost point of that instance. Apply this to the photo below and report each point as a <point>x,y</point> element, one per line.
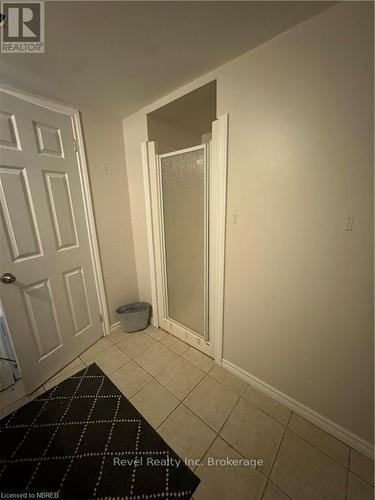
<point>108,179</point>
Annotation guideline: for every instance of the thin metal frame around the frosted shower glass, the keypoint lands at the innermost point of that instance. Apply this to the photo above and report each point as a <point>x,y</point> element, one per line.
<point>169,323</point>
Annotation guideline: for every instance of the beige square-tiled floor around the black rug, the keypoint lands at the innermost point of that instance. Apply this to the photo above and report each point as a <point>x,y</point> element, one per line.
<point>210,416</point>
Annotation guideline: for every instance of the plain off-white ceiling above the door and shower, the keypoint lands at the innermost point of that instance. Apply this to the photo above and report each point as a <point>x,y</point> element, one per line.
<point>120,56</point>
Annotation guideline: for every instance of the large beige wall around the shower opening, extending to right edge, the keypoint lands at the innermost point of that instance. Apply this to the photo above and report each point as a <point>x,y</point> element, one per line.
<point>298,287</point>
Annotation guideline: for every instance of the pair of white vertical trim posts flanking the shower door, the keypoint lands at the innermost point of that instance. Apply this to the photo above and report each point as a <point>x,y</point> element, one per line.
<point>218,194</point>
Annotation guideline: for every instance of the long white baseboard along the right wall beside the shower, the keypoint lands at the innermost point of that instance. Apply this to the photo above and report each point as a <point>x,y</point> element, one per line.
<point>324,423</point>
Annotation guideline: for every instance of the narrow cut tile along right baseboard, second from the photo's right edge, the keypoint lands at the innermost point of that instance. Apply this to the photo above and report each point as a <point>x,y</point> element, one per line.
<point>321,439</point>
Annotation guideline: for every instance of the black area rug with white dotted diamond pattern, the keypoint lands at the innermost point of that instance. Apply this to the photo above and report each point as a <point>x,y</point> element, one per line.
<point>84,439</point>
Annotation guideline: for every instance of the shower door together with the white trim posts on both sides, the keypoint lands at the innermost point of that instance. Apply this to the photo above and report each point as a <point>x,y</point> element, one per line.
<point>185,193</point>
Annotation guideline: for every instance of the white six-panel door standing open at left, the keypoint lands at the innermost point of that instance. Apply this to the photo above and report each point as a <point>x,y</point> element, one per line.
<point>52,307</point>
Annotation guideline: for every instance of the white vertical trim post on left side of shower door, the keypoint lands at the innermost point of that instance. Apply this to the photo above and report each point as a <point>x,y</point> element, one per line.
<point>146,155</point>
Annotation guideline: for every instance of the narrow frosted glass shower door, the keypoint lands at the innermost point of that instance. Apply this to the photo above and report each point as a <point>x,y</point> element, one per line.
<point>184,214</point>
